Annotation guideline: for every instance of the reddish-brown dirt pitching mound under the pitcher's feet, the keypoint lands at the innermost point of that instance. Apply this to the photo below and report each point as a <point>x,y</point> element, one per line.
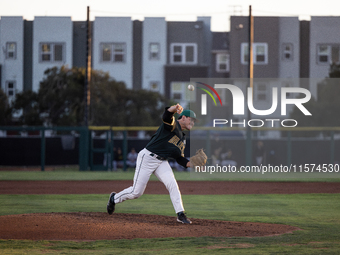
<point>101,226</point>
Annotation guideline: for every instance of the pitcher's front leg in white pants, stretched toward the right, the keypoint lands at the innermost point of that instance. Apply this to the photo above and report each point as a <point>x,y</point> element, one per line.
<point>164,174</point>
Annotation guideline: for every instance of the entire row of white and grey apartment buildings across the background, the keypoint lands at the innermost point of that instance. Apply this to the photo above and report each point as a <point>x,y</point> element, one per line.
<point>162,56</point>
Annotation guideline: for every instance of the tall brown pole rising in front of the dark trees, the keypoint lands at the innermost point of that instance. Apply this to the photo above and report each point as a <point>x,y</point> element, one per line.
<point>87,94</point>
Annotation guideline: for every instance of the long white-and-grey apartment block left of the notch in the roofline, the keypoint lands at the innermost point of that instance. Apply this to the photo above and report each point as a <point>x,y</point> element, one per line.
<point>152,54</point>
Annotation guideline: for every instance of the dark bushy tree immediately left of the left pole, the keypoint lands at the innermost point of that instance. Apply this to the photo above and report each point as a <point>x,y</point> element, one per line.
<point>58,101</point>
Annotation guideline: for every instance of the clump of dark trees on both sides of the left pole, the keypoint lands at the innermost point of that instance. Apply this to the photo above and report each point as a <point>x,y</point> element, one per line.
<point>60,101</point>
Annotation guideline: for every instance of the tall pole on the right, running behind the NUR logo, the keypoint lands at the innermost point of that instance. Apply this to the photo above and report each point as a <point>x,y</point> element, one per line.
<point>251,76</point>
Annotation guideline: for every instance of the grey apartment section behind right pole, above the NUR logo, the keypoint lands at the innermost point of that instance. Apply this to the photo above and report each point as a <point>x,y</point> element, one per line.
<point>275,48</point>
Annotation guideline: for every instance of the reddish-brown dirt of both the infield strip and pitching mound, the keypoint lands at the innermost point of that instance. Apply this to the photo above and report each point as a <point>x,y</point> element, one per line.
<point>101,226</point>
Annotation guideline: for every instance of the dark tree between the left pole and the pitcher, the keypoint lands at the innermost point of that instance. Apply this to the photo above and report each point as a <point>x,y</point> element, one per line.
<point>114,105</point>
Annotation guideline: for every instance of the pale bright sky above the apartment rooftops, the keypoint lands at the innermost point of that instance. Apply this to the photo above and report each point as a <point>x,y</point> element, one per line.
<point>174,10</point>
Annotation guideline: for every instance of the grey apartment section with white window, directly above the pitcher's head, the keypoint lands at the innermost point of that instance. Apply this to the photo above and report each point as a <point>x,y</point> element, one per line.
<point>188,52</point>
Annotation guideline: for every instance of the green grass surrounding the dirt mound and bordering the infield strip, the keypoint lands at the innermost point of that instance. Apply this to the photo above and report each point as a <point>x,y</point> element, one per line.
<point>316,214</point>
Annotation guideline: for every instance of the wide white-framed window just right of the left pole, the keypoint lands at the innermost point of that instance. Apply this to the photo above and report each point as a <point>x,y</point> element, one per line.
<point>115,51</point>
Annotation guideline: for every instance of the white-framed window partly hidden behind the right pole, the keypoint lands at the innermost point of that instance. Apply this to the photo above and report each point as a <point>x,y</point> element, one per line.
<point>260,53</point>
